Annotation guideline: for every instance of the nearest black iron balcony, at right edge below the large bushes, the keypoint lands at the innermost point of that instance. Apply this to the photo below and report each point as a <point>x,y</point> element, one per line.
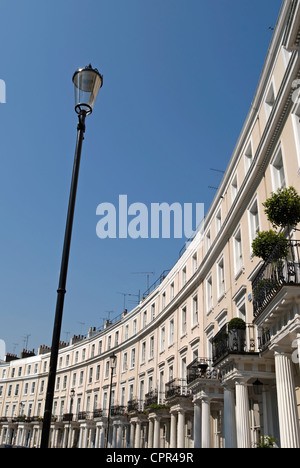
<point>274,275</point>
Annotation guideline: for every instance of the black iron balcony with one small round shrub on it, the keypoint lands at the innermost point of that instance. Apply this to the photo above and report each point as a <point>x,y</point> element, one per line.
<point>234,341</point>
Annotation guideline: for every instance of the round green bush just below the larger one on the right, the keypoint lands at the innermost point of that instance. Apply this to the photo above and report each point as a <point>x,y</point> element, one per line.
<point>270,242</point>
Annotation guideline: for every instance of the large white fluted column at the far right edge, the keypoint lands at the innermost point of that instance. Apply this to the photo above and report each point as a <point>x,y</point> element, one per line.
<point>287,405</point>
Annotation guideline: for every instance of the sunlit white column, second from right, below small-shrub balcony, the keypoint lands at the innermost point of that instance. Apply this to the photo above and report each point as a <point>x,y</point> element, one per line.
<point>242,415</point>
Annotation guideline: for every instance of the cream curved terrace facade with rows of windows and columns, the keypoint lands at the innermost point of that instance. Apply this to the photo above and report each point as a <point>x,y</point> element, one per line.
<point>177,383</point>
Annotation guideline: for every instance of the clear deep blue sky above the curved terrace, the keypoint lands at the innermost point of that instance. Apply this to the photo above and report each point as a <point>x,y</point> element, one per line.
<point>179,78</point>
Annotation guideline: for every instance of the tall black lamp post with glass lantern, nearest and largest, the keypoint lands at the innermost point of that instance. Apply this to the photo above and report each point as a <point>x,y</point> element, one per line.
<point>87,82</point>
